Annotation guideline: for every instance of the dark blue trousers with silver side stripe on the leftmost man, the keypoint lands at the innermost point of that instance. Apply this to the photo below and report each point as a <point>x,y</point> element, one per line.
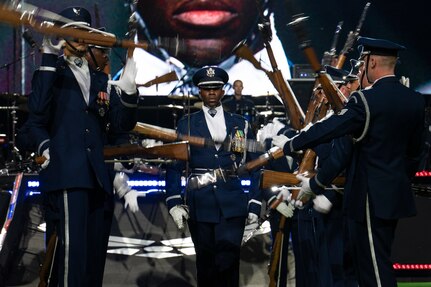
<point>77,216</point>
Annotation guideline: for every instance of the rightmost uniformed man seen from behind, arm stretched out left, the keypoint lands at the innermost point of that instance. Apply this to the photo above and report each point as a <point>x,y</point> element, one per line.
<point>378,187</point>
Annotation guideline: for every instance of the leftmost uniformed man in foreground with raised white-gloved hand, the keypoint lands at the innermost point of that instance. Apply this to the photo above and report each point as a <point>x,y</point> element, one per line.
<point>70,110</point>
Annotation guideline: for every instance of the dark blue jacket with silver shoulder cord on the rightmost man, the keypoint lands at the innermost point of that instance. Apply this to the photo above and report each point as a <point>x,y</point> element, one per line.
<point>381,169</point>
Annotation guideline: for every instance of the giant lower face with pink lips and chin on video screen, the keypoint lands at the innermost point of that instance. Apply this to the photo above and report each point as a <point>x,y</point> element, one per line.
<point>210,28</point>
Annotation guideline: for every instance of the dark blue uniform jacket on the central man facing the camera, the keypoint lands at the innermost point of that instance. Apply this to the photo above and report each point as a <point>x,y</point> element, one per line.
<point>228,197</point>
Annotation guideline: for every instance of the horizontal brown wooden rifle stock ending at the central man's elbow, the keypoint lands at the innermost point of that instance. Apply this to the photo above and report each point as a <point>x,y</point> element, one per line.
<point>178,151</point>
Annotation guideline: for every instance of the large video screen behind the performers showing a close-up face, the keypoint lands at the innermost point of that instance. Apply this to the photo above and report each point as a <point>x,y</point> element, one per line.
<point>208,31</point>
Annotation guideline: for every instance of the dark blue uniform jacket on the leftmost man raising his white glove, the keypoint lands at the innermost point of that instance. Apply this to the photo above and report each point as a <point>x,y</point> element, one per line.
<point>74,131</point>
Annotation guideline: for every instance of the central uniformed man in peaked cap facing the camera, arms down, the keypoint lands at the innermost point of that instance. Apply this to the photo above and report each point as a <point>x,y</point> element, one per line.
<point>214,204</point>
